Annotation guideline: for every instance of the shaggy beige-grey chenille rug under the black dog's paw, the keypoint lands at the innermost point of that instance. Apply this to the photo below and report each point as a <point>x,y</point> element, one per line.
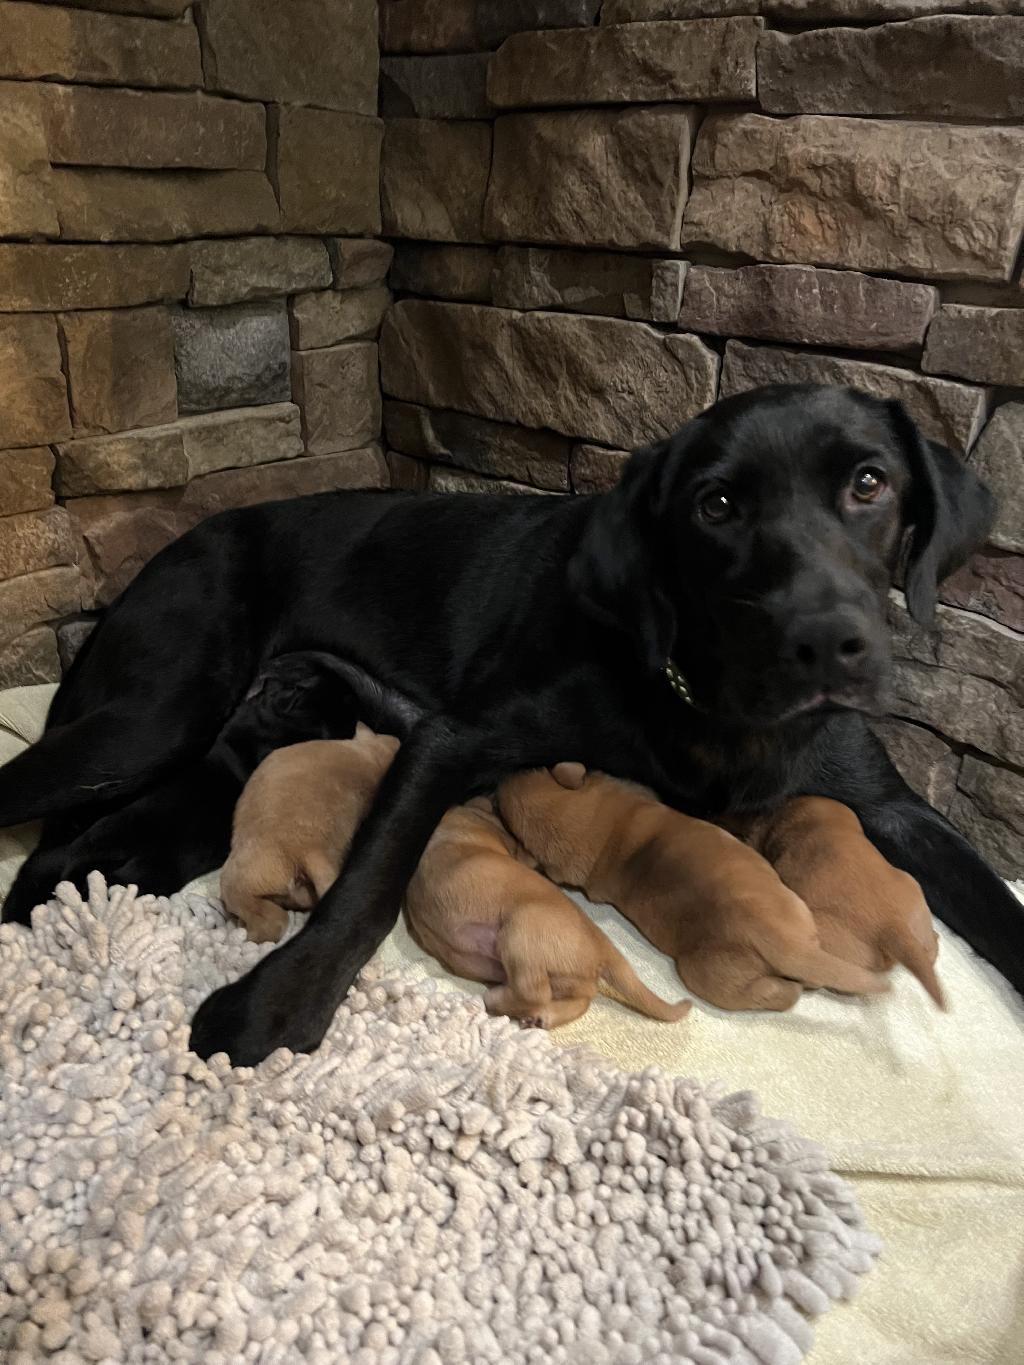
<point>432,1187</point>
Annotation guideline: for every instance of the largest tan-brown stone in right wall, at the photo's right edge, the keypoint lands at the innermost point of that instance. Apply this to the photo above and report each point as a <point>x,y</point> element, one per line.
<point>861,193</point>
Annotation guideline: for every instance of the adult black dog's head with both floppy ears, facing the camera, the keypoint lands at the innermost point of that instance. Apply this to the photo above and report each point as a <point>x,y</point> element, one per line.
<point>757,548</point>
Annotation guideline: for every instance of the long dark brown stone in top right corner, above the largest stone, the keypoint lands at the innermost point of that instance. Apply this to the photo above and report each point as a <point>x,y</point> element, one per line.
<point>911,69</point>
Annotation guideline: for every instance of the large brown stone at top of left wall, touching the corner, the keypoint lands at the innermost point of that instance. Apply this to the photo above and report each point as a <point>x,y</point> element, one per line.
<point>320,53</point>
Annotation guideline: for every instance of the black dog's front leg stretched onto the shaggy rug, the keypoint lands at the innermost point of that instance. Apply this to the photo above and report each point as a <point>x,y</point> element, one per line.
<point>291,997</point>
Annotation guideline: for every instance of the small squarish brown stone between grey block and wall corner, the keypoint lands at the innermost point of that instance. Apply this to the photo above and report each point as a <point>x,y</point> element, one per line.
<point>339,394</point>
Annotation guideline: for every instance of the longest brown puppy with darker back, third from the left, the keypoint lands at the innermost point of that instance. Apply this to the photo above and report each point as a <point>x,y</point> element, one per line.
<point>739,937</point>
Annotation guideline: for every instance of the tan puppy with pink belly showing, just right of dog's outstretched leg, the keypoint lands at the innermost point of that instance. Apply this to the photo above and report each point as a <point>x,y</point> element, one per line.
<point>479,910</point>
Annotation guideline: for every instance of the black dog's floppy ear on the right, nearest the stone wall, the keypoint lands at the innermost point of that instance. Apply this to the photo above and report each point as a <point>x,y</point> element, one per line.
<point>948,510</point>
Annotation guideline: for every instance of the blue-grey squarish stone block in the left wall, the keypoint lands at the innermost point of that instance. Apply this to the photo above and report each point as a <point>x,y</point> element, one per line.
<point>229,358</point>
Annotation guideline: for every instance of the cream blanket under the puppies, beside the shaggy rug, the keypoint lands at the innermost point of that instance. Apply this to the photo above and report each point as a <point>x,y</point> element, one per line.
<point>924,1112</point>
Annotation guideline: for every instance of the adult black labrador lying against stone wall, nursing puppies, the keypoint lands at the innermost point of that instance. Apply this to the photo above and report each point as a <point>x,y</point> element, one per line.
<point>713,627</point>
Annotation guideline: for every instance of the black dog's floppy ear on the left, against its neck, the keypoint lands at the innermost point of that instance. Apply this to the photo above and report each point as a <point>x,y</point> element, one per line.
<point>614,573</point>
